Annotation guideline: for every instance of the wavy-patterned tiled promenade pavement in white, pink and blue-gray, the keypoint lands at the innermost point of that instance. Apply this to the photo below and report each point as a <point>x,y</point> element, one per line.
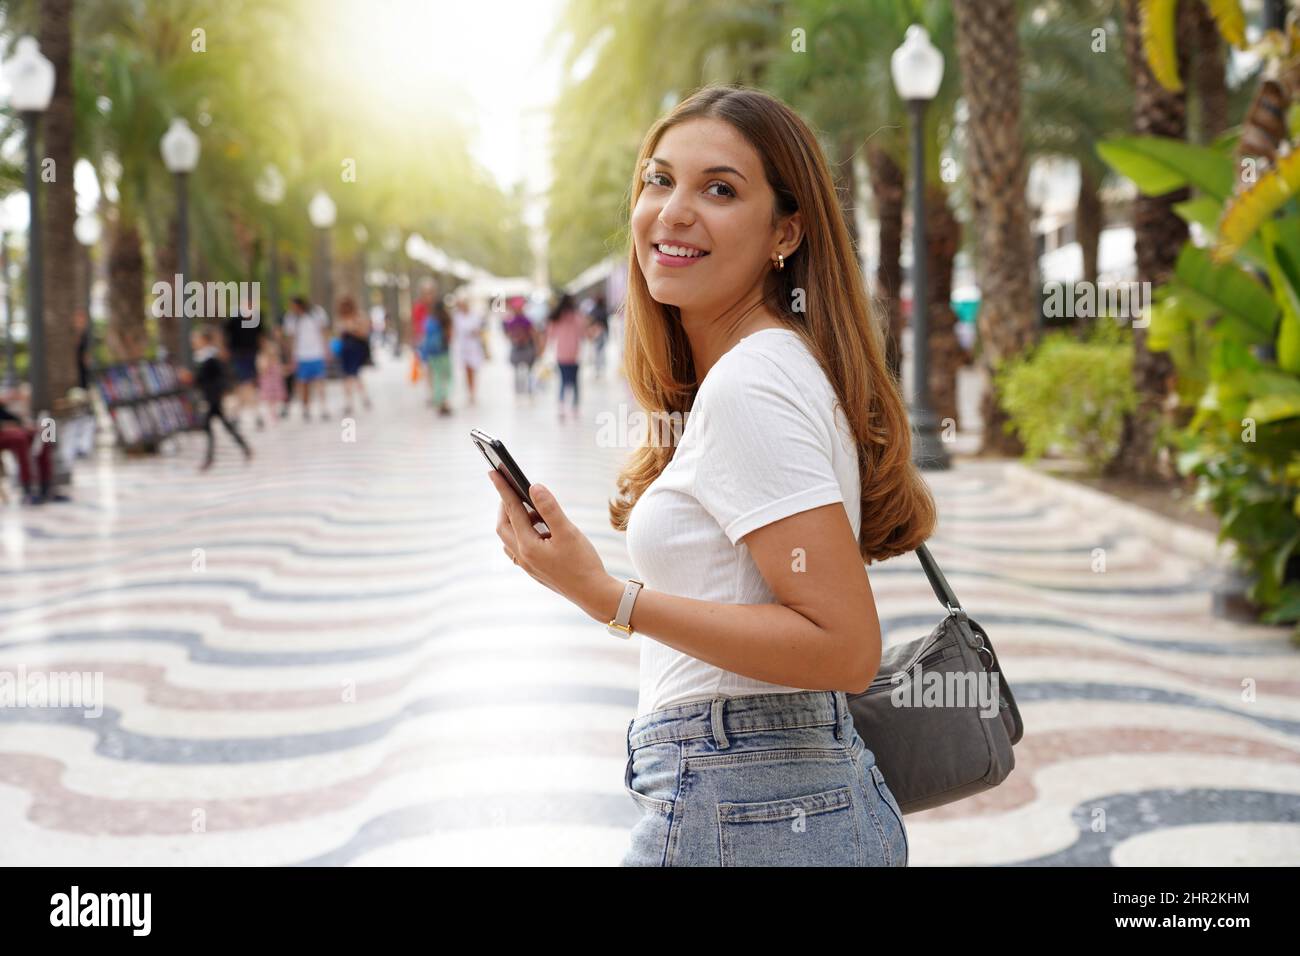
<point>352,672</point>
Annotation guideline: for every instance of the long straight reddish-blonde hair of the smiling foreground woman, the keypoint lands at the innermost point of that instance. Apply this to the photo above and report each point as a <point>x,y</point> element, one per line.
<point>898,509</point>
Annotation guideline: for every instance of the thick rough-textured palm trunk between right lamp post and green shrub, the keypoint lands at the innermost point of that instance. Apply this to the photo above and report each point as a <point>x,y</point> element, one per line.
<point>990,57</point>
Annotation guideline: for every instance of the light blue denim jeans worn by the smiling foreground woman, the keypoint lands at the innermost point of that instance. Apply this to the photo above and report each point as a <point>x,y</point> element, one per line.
<point>769,780</point>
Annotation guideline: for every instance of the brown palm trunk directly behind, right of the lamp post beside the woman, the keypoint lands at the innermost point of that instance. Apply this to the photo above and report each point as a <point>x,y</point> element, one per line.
<point>943,241</point>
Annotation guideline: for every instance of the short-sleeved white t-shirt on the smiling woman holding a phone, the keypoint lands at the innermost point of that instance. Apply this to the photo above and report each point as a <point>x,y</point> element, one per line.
<point>765,440</point>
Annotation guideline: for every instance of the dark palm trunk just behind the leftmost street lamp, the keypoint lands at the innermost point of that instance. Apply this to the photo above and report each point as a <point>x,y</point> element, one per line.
<point>59,243</point>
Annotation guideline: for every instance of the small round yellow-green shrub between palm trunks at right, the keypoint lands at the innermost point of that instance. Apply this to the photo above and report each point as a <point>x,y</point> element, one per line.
<point>1071,395</point>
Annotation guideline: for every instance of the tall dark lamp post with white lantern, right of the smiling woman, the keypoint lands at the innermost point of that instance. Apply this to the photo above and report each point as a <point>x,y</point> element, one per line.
<point>918,70</point>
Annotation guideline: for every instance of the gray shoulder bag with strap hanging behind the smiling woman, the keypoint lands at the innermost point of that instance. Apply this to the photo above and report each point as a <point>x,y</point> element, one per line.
<point>939,716</point>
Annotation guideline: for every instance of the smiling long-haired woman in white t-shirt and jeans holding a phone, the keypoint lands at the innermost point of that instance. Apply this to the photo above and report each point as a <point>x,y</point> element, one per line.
<point>751,529</point>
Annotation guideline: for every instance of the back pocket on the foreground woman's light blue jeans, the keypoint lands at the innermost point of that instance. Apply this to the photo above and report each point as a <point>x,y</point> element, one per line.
<point>814,830</point>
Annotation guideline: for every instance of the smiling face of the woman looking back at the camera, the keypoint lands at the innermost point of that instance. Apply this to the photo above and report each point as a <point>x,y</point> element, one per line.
<point>705,189</point>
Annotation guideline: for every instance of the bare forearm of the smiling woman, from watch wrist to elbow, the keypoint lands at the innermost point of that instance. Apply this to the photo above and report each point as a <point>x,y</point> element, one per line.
<point>766,642</point>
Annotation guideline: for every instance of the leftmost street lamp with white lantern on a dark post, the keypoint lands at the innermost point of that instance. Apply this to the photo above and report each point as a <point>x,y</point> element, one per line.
<point>32,85</point>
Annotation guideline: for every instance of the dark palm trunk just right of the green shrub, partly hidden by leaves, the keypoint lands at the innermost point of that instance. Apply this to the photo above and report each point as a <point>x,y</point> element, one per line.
<point>1160,235</point>
